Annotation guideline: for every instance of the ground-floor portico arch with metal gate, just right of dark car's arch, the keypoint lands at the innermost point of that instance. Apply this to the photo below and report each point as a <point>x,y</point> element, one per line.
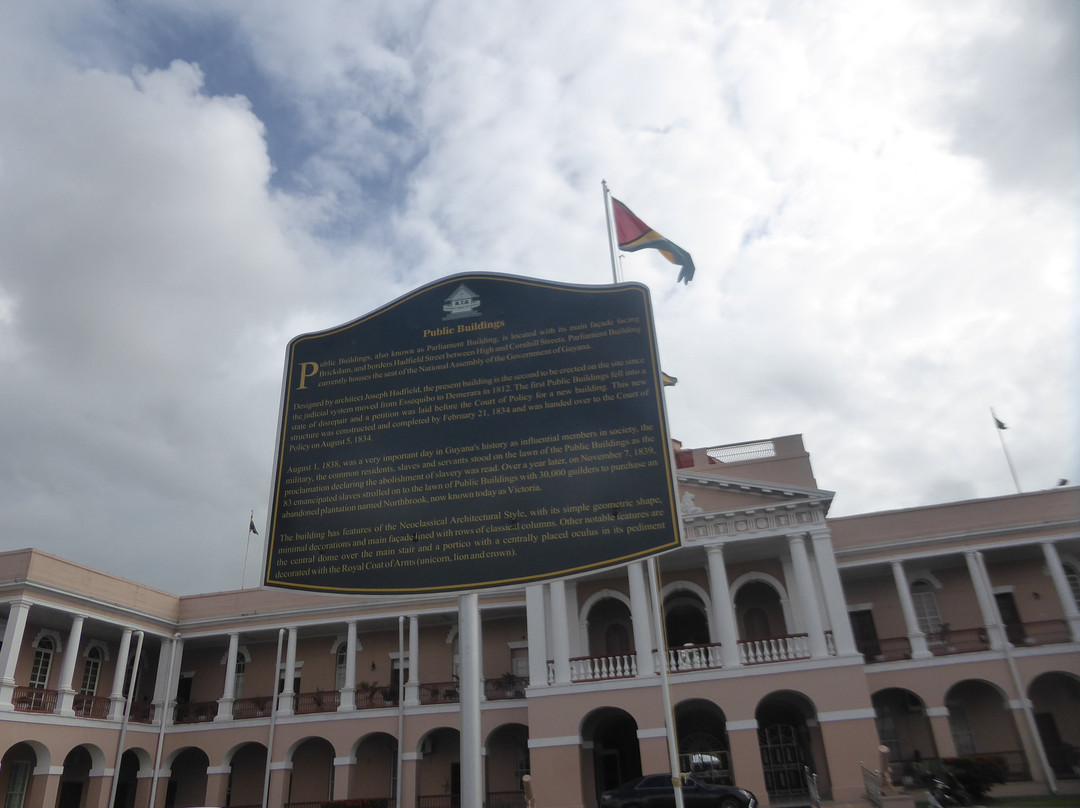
<point>790,739</point>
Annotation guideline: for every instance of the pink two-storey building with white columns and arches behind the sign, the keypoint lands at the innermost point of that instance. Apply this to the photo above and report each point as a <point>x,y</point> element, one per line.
<point>794,642</point>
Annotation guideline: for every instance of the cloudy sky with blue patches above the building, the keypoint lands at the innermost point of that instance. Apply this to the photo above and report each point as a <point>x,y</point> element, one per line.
<point>881,200</point>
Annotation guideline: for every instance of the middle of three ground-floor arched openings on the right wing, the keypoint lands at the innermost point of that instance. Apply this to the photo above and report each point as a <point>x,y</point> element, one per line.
<point>982,724</point>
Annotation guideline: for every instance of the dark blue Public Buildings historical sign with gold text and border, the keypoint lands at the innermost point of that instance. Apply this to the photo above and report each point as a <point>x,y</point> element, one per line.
<point>483,430</point>
